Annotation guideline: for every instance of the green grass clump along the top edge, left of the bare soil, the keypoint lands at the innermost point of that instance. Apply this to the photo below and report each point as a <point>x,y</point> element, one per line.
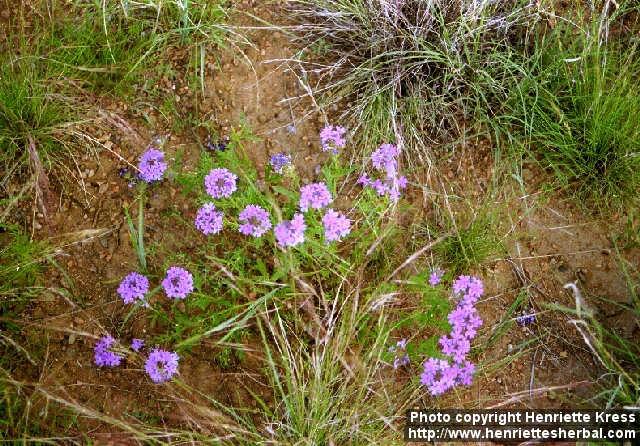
<point>110,45</point>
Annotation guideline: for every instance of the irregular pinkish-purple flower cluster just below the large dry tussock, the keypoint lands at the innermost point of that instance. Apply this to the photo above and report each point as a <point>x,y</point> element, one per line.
<point>385,160</point>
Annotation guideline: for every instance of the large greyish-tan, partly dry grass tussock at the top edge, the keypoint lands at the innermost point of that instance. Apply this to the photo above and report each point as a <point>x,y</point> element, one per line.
<point>430,66</point>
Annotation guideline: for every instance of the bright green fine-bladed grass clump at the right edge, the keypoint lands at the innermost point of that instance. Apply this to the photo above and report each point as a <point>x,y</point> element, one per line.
<point>579,113</point>
